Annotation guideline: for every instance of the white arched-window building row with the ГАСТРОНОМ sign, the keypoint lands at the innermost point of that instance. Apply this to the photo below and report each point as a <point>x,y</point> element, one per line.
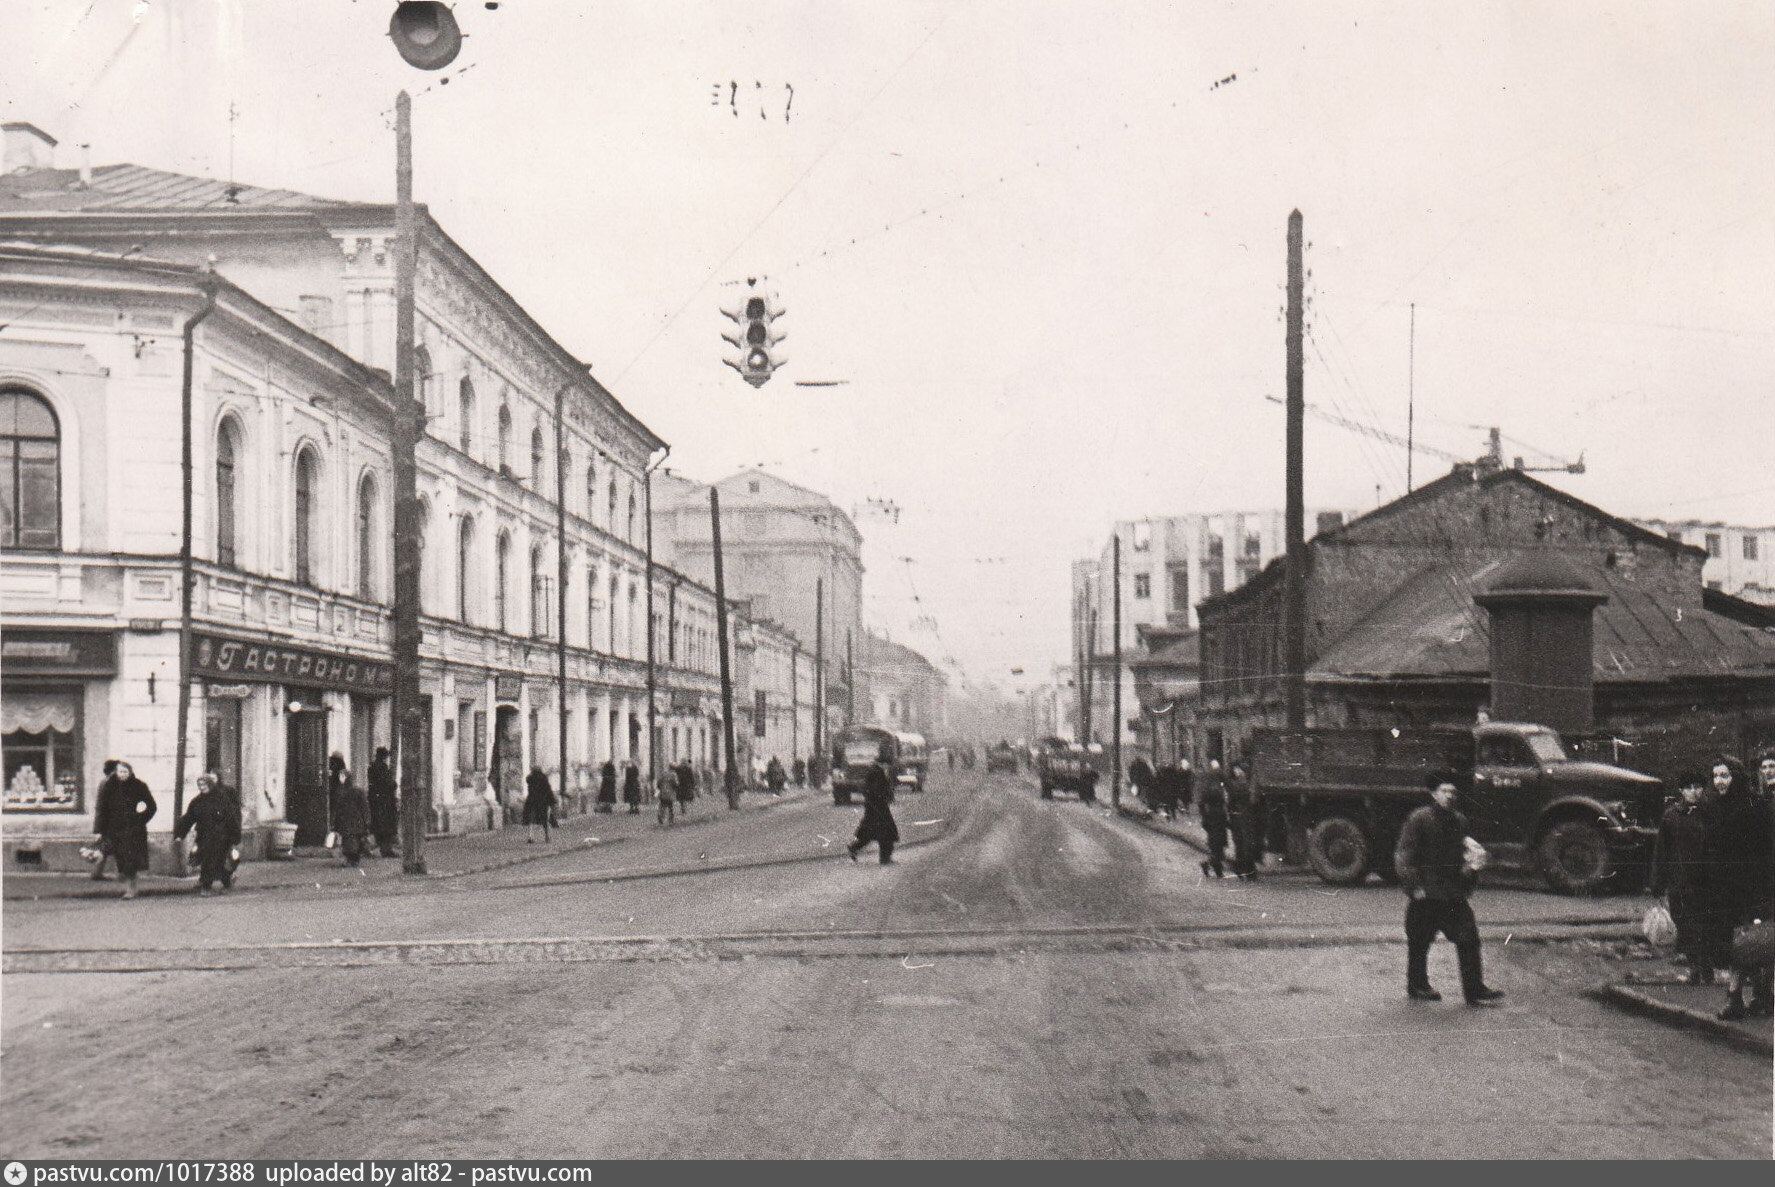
<point>532,480</point>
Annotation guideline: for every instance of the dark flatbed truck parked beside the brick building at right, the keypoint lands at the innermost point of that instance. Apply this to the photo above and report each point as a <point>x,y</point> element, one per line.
<point>1350,790</point>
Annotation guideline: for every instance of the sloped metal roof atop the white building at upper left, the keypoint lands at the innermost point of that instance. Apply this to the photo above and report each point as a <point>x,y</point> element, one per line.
<point>138,189</point>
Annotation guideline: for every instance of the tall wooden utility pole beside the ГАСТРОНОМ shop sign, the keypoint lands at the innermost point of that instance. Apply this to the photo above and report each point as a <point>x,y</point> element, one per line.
<point>409,423</point>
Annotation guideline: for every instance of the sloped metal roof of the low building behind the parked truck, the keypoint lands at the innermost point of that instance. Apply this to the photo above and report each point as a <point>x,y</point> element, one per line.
<point>1432,631</point>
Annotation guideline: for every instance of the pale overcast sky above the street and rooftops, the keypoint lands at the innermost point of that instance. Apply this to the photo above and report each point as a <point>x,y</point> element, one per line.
<point>1041,246</point>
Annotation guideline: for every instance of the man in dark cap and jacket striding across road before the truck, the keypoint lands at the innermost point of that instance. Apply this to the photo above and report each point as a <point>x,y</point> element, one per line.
<point>1439,869</point>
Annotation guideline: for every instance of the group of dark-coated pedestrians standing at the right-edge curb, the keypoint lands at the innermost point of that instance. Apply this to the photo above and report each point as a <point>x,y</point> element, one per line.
<point>1716,865</point>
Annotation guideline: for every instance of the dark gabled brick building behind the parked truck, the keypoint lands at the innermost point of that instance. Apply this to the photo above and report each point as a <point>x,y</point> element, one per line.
<point>1394,636</point>
